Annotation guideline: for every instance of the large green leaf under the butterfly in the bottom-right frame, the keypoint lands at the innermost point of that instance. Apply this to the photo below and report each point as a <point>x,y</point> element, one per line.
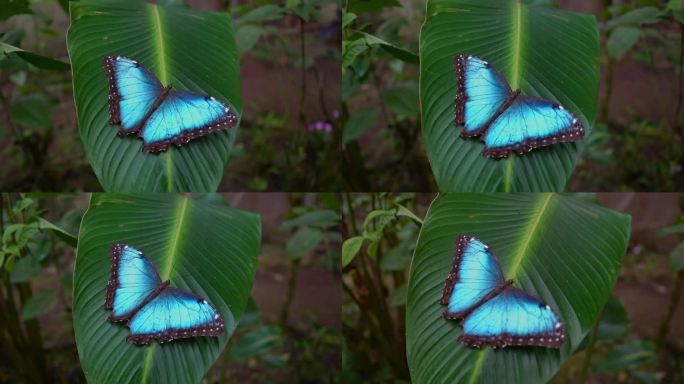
<point>565,250</point>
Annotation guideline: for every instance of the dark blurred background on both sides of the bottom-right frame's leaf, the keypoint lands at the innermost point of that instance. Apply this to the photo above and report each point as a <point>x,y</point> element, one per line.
<point>647,286</point>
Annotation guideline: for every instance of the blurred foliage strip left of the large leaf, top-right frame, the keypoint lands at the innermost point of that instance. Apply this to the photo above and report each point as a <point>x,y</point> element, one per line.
<point>380,108</point>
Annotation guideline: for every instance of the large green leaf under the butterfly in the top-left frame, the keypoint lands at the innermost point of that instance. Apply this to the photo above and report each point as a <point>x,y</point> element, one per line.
<point>188,49</point>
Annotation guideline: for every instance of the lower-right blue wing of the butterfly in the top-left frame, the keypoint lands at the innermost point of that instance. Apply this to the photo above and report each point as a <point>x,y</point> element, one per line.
<point>183,116</point>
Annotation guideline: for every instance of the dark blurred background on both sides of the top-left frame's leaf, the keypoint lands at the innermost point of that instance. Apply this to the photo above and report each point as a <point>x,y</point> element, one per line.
<point>280,146</point>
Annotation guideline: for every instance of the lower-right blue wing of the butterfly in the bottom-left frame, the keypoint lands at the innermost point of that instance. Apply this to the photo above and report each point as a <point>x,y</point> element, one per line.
<point>174,314</point>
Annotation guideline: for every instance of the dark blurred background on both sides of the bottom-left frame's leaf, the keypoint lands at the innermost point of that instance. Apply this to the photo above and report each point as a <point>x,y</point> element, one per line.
<point>276,341</point>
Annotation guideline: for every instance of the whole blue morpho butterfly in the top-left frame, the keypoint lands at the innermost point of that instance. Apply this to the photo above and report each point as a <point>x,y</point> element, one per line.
<point>160,116</point>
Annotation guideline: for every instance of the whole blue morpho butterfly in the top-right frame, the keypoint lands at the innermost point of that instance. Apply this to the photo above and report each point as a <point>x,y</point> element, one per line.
<point>506,120</point>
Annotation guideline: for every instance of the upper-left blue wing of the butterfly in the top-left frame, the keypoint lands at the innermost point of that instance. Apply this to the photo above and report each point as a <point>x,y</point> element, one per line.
<point>133,91</point>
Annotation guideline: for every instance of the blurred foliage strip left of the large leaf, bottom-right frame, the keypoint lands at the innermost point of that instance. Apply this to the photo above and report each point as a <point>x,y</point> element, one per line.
<point>380,232</point>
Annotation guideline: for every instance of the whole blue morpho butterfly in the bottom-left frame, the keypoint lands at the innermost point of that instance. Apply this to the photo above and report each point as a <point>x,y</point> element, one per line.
<point>152,309</point>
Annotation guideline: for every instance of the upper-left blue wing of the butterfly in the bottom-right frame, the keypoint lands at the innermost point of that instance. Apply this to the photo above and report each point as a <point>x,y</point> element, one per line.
<point>476,274</point>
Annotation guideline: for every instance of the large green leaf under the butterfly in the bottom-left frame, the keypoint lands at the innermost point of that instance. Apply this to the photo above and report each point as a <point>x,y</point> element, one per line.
<point>207,248</point>
